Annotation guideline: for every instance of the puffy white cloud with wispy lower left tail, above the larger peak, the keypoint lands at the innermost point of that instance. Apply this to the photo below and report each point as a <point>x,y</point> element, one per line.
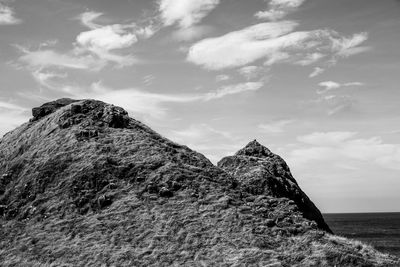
<point>93,49</point>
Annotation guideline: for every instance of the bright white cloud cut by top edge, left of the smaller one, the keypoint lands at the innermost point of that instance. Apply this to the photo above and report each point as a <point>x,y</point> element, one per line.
<point>185,12</point>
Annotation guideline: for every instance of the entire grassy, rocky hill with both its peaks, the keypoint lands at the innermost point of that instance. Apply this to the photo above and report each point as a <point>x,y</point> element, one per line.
<point>83,184</point>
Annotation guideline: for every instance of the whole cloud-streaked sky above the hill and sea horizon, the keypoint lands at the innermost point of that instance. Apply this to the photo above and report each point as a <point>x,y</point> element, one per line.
<point>315,81</point>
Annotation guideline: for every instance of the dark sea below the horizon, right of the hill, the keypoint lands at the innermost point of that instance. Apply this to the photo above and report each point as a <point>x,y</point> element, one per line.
<point>381,230</point>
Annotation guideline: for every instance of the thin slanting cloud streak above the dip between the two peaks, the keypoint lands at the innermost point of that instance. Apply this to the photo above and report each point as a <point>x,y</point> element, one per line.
<point>232,89</point>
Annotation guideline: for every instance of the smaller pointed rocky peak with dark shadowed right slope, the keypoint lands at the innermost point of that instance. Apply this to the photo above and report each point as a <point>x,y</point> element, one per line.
<point>261,172</point>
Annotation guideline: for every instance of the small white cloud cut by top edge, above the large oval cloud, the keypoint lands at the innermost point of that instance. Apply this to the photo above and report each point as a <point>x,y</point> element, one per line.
<point>278,9</point>
